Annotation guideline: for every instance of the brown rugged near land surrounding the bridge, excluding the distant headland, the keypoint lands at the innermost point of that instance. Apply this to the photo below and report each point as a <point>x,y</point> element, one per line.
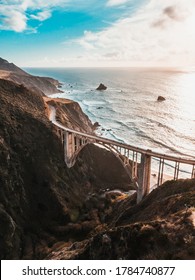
<point>49,211</point>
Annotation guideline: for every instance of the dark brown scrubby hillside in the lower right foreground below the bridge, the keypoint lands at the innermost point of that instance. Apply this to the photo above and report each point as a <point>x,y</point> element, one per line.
<point>161,227</point>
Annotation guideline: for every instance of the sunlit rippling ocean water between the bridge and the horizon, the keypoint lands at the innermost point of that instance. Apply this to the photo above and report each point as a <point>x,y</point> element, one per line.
<point>128,111</point>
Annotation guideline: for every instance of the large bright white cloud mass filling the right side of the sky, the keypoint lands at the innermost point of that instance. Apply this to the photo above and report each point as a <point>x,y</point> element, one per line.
<point>134,40</point>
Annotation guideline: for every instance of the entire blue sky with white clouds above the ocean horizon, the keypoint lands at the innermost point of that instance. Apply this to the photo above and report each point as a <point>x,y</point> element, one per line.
<point>98,33</point>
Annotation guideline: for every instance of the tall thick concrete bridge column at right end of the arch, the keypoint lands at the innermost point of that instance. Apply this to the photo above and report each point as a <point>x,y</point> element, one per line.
<point>144,177</point>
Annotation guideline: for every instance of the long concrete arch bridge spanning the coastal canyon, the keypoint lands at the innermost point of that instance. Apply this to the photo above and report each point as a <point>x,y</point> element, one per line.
<point>143,166</point>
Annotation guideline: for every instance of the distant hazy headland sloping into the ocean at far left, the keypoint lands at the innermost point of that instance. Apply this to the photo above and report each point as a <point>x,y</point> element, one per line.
<point>41,85</point>
